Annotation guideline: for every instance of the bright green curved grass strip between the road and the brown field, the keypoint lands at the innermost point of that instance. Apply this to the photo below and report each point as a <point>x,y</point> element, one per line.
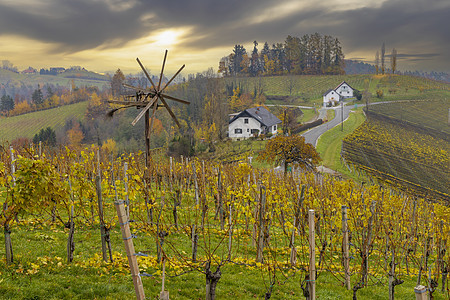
<point>330,143</point>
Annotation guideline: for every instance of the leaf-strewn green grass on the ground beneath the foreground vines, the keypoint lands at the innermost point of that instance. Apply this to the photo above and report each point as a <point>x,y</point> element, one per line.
<point>58,279</point>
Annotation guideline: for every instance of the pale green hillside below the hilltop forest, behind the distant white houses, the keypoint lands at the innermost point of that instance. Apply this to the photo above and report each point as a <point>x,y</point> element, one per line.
<point>307,90</point>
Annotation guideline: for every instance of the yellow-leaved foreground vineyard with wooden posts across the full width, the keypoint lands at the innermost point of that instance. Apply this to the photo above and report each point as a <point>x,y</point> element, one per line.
<point>248,232</point>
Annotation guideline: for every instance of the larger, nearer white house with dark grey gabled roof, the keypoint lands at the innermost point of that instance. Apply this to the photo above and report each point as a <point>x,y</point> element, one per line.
<point>252,122</point>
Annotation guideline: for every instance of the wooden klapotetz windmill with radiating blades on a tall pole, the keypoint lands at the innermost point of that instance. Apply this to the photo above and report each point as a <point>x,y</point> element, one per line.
<point>147,99</point>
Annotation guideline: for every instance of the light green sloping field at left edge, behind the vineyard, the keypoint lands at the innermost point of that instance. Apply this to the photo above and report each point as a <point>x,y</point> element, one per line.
<point>28,125</point>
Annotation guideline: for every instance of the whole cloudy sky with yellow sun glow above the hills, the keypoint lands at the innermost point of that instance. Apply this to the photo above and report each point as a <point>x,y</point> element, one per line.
<point>104,35</point>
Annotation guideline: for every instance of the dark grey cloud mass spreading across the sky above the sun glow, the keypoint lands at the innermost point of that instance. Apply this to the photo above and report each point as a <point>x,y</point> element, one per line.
<point>411,26</point>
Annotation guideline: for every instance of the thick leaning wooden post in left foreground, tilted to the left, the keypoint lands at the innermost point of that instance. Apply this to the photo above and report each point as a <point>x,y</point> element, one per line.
<point>129,248</point>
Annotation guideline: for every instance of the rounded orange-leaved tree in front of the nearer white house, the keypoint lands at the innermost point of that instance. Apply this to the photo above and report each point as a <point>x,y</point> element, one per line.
<point>290,149</point>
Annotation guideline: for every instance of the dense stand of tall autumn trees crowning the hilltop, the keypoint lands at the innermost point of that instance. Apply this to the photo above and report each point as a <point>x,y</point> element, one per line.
<point>311,54</point>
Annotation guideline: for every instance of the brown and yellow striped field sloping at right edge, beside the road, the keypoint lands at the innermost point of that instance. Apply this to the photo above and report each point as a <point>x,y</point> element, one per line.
<point>412,151</point>
